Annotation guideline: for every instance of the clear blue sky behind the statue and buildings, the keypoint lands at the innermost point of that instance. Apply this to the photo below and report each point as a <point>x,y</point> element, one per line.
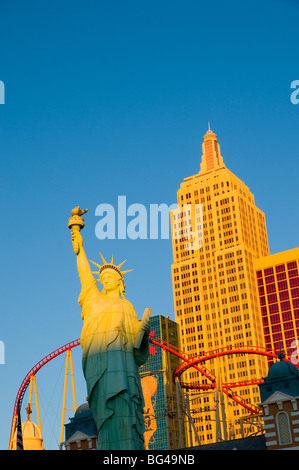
<point>113,98</point>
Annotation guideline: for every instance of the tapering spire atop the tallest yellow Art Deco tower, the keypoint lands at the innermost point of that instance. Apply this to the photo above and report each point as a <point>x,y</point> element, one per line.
<point>211,157</point>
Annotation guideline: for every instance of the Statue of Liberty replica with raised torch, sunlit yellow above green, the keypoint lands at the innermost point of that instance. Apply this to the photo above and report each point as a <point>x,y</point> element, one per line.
<point>115,344</point>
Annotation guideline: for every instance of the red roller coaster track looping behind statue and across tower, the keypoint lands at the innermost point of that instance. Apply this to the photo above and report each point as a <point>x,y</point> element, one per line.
<point>188,361</point>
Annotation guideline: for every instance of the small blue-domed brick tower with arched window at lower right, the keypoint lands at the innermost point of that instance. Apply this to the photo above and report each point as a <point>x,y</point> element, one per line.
<point>280,405</point>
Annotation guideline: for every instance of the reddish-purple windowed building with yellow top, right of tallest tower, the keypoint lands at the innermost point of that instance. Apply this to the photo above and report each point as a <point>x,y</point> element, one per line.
<point>278,285</point>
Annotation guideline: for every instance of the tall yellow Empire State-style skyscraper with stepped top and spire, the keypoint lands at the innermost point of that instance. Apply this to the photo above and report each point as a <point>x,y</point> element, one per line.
<point>215,294</point>
